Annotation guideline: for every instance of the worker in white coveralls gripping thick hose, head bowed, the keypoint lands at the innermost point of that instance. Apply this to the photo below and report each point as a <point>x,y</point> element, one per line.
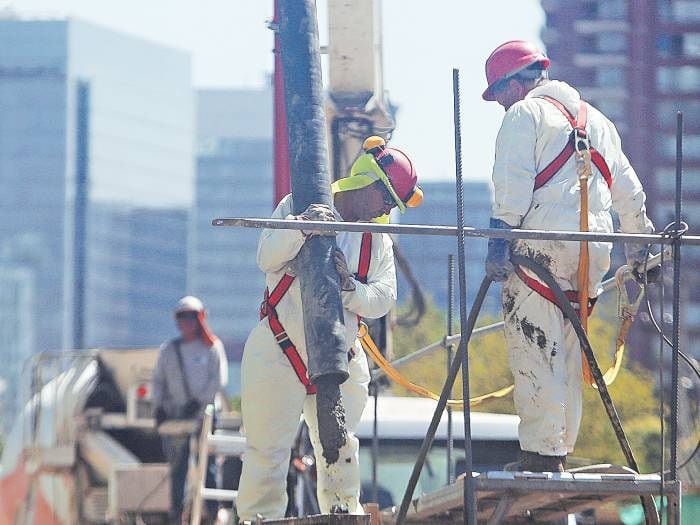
<point>275,385</point>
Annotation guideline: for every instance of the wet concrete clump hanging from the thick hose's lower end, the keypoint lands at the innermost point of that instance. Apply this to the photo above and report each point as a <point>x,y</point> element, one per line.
<point>330,413</point>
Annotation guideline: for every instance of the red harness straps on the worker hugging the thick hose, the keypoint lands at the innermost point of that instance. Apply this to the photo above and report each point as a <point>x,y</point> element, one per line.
<point>272,299</point>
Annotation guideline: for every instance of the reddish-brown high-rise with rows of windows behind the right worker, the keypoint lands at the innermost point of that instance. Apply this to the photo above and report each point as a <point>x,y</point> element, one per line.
<point>639,62</point>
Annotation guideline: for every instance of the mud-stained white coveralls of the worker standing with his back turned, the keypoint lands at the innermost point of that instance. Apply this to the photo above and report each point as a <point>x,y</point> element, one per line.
<point>544,352</point>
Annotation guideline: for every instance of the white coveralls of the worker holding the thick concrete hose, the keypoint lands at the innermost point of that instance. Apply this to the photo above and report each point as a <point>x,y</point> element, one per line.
<point>273,398</point>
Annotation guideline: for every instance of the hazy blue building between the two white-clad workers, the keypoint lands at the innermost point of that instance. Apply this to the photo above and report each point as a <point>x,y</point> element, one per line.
<point>427,255</point>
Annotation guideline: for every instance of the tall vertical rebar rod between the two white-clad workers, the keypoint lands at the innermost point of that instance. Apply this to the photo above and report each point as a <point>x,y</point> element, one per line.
<point>469,497</point>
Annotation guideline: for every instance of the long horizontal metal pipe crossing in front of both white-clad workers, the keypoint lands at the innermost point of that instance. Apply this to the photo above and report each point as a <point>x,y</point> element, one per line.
<point>423,229</point>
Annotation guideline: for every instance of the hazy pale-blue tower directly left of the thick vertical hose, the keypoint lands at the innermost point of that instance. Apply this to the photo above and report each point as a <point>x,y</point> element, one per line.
<point>234,178</point>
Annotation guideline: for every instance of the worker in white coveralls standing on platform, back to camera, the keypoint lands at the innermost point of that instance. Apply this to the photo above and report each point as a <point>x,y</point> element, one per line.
<point>536,187</point>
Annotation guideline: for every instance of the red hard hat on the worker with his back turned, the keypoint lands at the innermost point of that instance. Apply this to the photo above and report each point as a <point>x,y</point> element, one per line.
<point>508,59</point>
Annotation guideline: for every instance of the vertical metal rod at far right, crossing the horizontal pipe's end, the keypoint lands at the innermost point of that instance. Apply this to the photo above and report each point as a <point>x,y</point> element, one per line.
<point>676,309</point>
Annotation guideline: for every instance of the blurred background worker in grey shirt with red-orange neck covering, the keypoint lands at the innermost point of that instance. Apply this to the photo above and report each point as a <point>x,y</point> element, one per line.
<point>190,371</point>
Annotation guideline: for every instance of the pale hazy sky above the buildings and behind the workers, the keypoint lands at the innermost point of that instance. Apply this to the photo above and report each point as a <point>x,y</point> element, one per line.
<point>231,47</point>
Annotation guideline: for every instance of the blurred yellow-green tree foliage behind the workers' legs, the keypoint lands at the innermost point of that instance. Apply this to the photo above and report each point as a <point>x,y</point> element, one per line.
<point>632,392</point>
